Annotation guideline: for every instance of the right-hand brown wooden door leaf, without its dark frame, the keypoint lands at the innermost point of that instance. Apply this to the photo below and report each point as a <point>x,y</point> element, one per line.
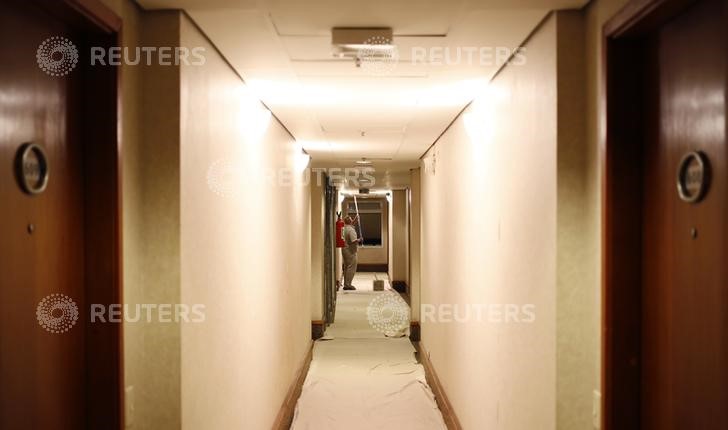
<point>685,257</point>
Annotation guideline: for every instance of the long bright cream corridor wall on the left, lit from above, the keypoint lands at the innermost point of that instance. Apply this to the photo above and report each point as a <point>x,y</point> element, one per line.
<point>238,365</point>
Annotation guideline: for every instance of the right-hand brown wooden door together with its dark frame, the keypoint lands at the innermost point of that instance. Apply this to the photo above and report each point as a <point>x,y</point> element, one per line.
<point>665,249</point>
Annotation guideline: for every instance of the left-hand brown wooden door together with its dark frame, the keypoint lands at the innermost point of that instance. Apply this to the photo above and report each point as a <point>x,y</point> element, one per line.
<point>59,248</point>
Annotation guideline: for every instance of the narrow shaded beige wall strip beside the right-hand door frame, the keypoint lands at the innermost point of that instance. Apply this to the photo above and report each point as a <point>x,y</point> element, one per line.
<point>579,213</point>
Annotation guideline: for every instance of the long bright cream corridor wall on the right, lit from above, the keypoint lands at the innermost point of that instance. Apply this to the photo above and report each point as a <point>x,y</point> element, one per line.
<point>489,237</point>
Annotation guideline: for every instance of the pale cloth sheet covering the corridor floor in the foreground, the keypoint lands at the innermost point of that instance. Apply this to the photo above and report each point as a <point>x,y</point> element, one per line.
<point>364,380</point>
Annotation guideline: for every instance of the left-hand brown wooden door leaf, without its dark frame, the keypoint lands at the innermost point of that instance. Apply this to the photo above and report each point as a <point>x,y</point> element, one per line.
<point>42,245</point>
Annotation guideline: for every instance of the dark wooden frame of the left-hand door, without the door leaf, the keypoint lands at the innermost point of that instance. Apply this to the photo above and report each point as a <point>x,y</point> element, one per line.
<point>102,152</point>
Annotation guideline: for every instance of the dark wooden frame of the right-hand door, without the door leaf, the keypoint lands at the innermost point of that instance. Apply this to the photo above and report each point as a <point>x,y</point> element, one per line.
<point>621,143</point>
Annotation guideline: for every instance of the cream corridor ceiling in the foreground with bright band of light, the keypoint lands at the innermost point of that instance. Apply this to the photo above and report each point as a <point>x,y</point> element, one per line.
<point>340,112</point>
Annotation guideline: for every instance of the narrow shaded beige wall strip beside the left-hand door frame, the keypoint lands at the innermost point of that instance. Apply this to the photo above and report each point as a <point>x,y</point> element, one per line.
<point>150,195</point>
